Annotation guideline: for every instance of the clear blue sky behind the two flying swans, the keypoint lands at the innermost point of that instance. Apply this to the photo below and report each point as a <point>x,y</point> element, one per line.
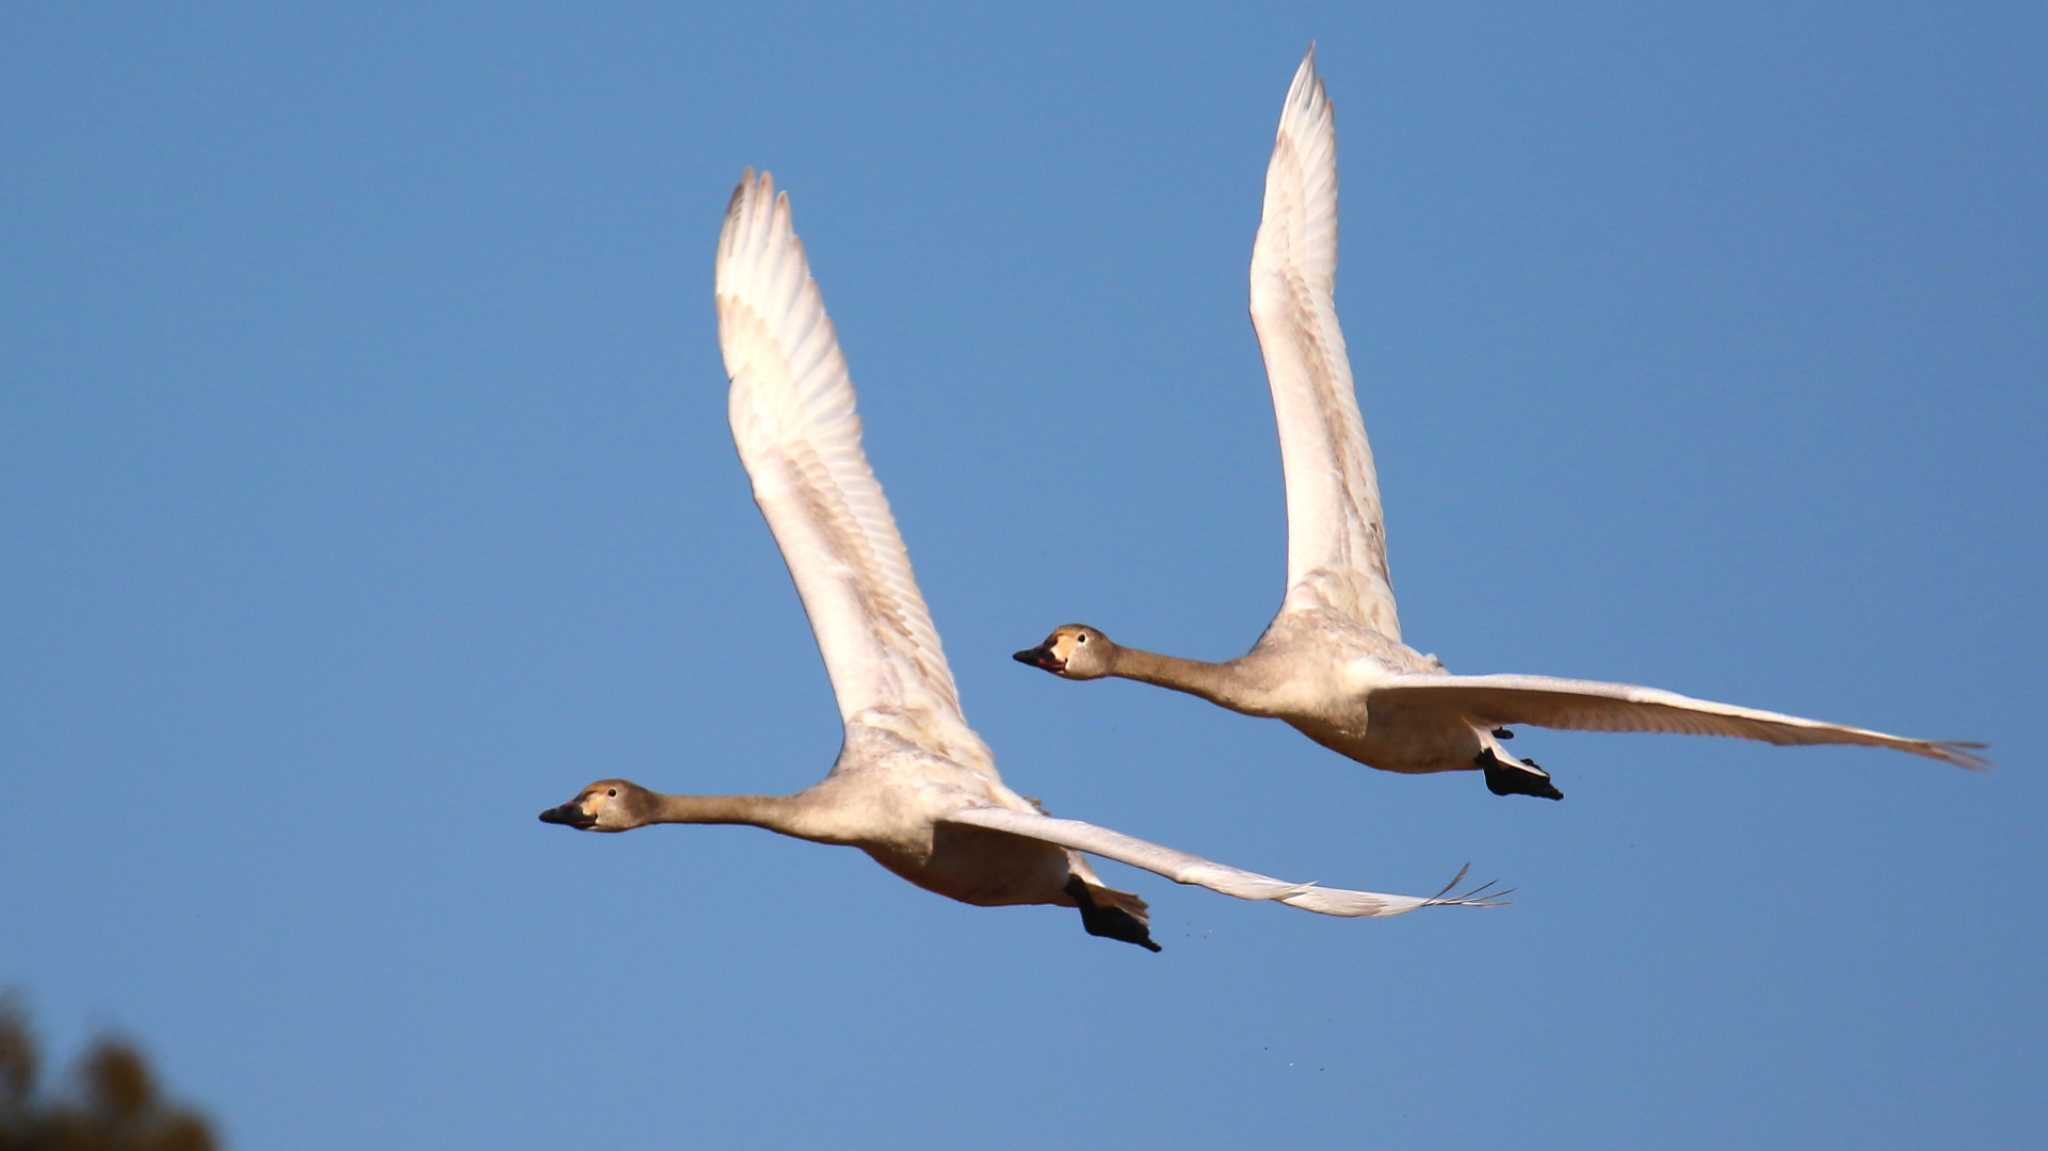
<point>366,488</point>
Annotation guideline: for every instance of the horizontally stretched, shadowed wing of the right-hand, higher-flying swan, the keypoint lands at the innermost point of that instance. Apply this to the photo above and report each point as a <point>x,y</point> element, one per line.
<point>1588,706</point>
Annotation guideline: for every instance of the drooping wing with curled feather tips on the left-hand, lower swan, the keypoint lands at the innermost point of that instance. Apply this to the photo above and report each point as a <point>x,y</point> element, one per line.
<point>1181,867</point>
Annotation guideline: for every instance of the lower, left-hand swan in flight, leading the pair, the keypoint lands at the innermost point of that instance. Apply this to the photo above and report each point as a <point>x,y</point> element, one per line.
<point>914,785</point>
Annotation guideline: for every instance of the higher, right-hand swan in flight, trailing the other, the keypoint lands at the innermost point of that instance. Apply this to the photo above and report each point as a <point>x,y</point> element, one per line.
<point>1332,663</point>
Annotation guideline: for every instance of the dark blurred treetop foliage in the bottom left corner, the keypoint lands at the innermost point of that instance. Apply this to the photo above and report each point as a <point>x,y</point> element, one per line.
<point>114,1103</point>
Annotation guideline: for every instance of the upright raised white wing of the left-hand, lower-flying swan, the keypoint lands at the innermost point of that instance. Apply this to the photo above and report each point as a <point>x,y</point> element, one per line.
<point>800,439</point>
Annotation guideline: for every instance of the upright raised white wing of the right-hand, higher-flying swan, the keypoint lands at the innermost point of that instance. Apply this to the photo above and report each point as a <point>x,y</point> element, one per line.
<point>1336,542</point>
